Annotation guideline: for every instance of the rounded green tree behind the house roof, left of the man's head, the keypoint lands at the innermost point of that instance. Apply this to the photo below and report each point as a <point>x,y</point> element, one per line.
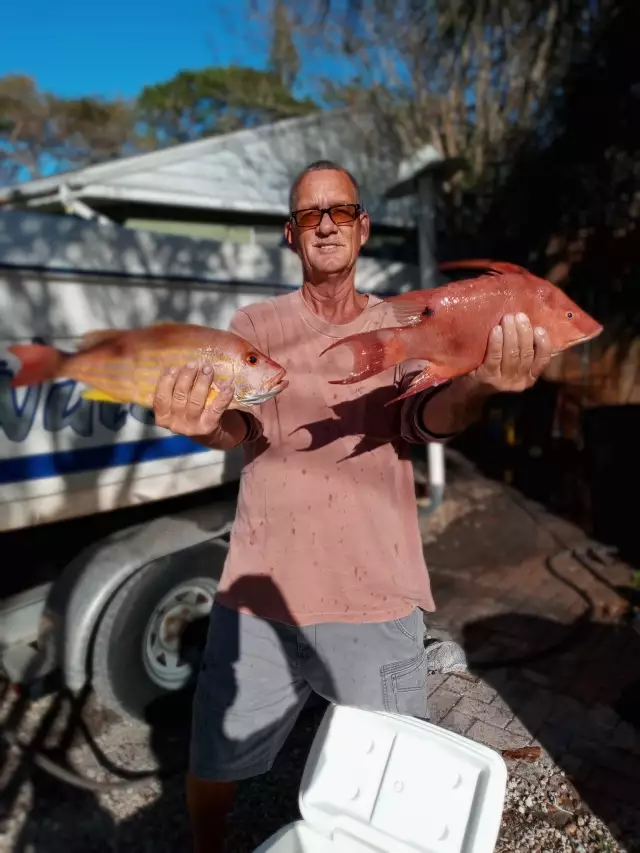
<point>196,104</point>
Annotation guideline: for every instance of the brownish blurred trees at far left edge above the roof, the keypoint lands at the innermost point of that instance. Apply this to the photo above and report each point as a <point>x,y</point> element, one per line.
<point>42,133</point>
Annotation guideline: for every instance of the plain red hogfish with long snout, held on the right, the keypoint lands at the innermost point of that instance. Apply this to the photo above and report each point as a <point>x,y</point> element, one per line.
<point>449,326</point>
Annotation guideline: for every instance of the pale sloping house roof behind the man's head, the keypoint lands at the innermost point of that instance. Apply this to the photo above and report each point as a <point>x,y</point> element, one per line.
<point>246,171</point>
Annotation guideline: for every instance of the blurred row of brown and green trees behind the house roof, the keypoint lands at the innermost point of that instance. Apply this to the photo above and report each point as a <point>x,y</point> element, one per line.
<point>41,133</point>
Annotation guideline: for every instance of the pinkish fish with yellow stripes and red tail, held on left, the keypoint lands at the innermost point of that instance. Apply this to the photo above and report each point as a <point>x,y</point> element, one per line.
<point>124,366</point>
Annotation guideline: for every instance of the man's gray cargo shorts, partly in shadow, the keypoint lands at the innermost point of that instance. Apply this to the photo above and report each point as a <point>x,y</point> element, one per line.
<point>256,676</point>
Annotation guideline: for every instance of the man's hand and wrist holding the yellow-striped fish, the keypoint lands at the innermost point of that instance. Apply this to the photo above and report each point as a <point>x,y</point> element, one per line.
<point>180,405</point>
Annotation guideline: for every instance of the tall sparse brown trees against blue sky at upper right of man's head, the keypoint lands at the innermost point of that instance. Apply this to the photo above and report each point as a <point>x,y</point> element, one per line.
<point>473,77</point>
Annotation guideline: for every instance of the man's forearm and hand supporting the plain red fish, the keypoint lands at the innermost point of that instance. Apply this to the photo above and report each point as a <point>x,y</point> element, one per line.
<point>515,358</point>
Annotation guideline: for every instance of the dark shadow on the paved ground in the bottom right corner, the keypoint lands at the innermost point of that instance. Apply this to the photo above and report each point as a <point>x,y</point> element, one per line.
<point>576,689</point>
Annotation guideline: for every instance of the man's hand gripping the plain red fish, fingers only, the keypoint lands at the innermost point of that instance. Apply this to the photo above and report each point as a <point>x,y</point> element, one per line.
<point>516,356</point>
